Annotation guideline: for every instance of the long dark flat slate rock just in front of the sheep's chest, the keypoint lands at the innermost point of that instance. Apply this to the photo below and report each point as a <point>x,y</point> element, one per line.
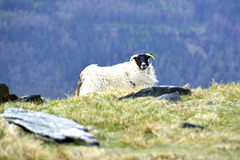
<point>157,91</point>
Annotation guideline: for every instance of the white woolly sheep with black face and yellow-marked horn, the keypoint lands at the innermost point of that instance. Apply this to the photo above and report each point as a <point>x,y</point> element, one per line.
<point>135,73</point>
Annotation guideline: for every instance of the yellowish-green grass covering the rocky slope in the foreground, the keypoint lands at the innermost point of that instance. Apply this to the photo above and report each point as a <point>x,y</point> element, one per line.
<point>137,128</point>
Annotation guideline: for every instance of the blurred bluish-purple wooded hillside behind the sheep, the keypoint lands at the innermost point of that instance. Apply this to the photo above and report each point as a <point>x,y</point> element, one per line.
<point>44,45</point>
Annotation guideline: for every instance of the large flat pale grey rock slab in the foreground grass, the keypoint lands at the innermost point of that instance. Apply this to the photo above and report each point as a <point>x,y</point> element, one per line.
<point>48,126</point>
